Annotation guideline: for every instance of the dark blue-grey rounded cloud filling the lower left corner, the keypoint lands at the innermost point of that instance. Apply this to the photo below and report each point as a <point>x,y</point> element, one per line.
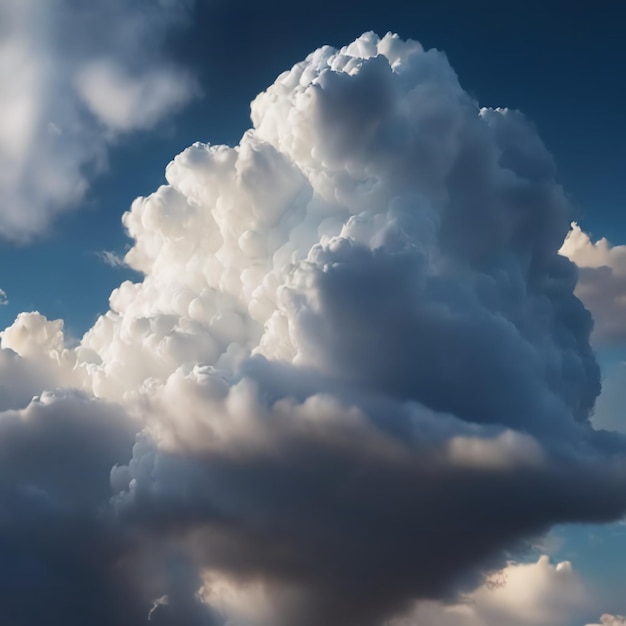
<point>64,557</point>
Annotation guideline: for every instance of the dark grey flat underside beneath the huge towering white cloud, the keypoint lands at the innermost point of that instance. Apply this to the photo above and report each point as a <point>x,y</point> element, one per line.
<point>356,523</point>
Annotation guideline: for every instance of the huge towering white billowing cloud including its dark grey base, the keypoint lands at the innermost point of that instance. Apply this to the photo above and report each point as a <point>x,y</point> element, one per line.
<point>356,366</point>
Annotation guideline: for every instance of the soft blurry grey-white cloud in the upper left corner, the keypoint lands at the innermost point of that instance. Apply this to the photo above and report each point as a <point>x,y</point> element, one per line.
<point>76,76</point>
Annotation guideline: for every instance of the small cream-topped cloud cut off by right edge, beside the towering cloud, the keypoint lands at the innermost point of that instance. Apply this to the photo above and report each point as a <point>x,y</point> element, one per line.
<point>601,283</point>
